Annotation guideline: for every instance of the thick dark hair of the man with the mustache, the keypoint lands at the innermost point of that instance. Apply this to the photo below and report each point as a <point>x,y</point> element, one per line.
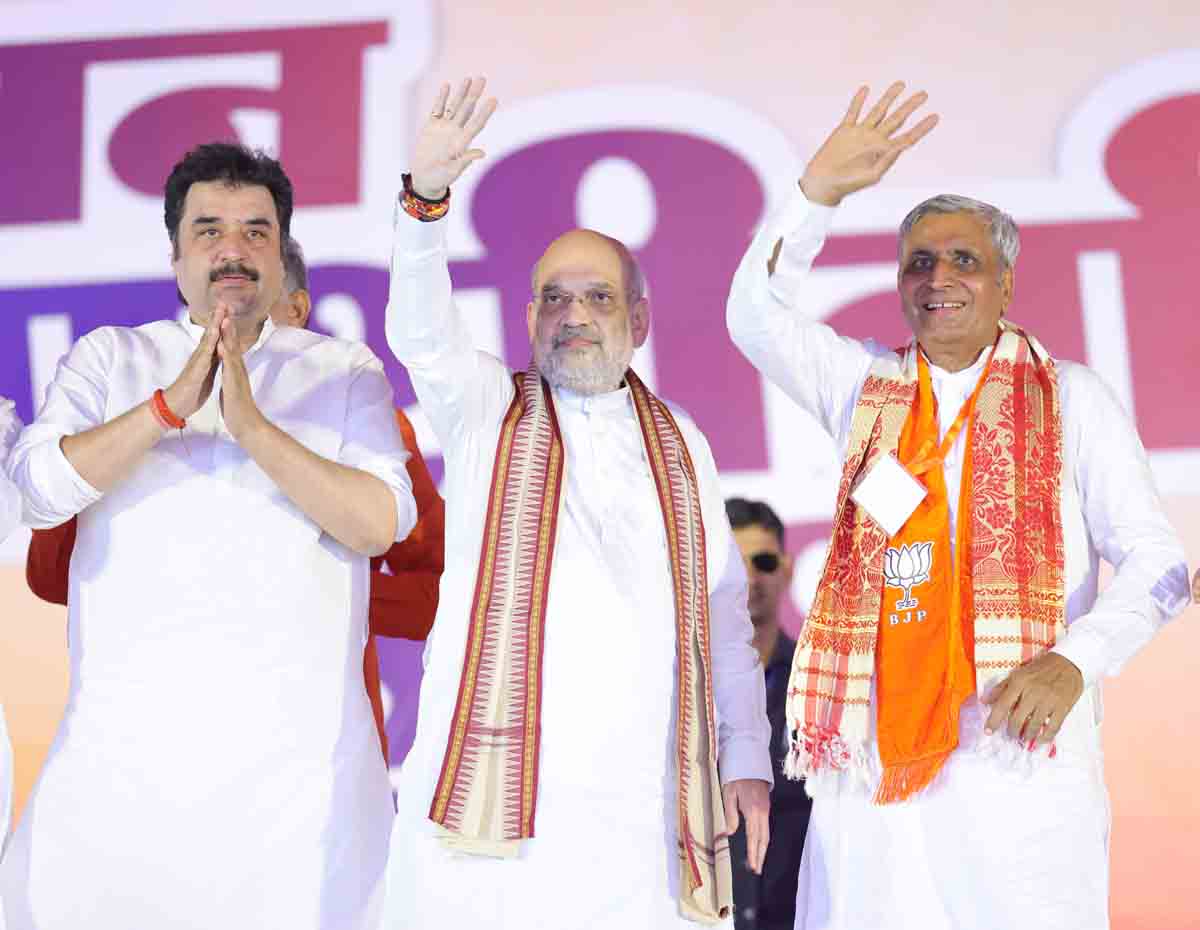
<point>237,165</point>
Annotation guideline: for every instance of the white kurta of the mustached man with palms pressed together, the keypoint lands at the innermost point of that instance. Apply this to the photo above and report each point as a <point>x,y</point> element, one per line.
<point>218,765</point>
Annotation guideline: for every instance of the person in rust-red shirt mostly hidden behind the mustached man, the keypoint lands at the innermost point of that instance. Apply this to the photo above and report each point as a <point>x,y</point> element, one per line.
<point>404,599</point>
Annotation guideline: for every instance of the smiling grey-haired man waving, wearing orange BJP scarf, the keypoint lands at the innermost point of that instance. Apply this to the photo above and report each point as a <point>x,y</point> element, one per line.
<point>945,692</point>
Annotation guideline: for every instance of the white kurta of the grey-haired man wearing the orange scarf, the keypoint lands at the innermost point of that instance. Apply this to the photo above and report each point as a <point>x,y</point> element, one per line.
<point>985,847</point>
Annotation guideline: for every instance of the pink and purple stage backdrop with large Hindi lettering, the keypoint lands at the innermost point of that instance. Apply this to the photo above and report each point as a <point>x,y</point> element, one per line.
<point>674,131</point>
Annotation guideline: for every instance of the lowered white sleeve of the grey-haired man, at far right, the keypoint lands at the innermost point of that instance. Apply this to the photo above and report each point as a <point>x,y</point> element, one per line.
<point>1129,529</point>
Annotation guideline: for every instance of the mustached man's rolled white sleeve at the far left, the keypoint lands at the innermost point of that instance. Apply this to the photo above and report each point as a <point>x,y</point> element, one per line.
<point>52,490</point>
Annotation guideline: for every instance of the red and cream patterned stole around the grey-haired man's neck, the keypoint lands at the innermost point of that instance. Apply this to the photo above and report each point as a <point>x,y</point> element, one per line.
<point>1013,608</point>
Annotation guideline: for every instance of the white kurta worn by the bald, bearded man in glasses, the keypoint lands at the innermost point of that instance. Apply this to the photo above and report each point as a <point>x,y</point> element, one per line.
<point>604,853</point>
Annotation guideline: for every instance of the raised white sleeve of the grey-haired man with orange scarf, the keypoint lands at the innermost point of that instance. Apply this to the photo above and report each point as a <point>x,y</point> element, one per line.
<point>818,369</point>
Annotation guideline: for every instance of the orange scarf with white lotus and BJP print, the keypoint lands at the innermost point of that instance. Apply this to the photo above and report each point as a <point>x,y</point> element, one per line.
<point>923,668</point>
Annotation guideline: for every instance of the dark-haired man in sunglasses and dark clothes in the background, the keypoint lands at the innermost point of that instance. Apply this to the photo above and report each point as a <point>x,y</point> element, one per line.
<point>767,901</point>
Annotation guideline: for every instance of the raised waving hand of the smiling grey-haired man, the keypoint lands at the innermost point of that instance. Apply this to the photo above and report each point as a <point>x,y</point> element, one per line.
<point>862,149</point>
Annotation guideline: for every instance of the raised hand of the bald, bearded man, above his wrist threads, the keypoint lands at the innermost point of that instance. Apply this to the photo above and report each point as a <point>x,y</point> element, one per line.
<point>443,147</point>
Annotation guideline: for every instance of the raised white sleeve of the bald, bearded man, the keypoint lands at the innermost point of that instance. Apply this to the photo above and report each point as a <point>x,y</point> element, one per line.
<point>458,386</point>
